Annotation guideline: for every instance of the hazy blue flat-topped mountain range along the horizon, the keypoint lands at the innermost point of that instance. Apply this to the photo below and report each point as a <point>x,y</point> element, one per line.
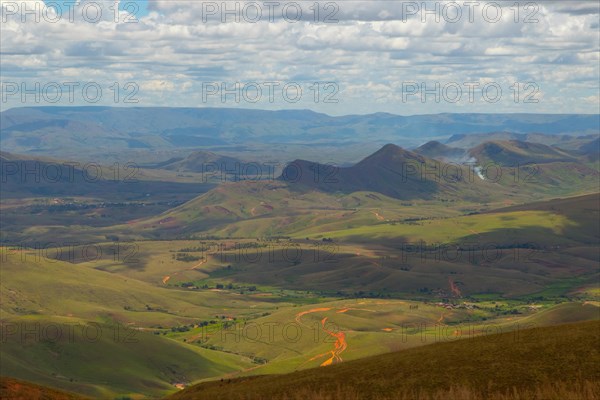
<point>60,131</point>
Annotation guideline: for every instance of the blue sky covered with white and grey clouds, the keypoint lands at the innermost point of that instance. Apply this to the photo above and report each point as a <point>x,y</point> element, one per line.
<point>337,57</point>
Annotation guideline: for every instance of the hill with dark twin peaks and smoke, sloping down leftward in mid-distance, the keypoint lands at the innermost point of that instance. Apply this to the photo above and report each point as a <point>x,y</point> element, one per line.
<point>392,185</point>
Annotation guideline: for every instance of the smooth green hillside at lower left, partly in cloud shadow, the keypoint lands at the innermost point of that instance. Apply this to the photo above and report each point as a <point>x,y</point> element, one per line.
<point>86,322</point>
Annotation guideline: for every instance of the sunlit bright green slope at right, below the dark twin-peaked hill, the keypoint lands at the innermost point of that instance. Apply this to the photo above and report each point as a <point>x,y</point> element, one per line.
<point>551,220</point>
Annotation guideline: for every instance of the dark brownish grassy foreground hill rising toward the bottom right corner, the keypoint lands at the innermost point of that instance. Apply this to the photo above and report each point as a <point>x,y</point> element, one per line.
<point>560,362</point>
